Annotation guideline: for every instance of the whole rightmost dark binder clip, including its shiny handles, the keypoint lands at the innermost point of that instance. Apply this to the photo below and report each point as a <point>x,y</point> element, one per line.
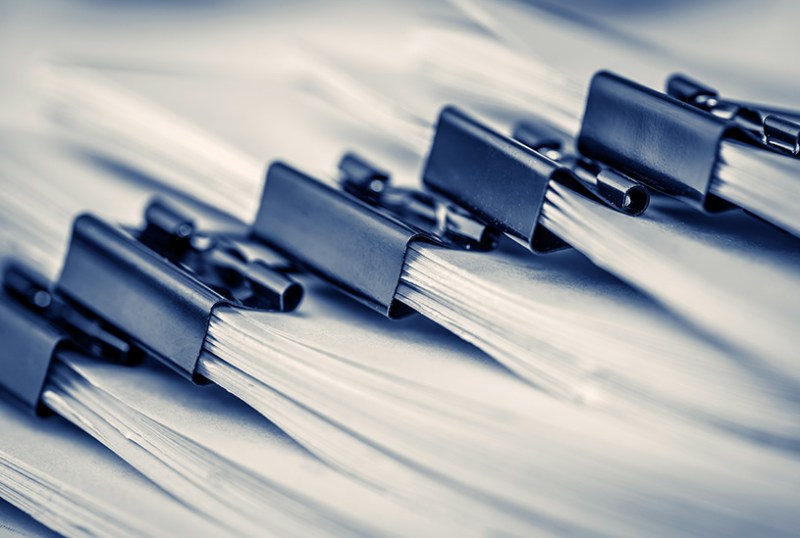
<point>671,141</point>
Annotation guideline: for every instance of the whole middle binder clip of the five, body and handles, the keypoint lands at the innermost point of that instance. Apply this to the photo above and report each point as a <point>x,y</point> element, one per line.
<point>355,232</point>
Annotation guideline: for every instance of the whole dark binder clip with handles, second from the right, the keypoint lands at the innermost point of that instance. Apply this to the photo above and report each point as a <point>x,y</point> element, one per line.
<point>504,182</point>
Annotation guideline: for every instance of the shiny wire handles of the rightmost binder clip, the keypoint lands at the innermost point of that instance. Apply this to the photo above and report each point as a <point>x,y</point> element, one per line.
<point>775,128</point>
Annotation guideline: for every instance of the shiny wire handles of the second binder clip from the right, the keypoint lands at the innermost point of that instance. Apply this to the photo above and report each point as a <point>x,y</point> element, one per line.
<point>615,189</point>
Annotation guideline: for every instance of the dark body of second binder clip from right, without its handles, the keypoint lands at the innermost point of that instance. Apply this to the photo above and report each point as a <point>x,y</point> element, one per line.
<point>496,178</point>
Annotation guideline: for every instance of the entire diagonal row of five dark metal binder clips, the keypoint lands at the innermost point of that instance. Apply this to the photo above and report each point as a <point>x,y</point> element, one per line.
<point>127,292</point>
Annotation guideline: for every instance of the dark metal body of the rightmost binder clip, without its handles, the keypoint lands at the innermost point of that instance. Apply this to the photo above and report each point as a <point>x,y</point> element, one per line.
<point>659,140</point>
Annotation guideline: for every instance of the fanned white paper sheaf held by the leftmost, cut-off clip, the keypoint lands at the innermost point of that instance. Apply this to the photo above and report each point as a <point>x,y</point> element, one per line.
<point>220,458</point>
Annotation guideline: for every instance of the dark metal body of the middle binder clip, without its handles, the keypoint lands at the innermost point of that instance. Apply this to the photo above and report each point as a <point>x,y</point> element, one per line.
<point>358,247</point>
